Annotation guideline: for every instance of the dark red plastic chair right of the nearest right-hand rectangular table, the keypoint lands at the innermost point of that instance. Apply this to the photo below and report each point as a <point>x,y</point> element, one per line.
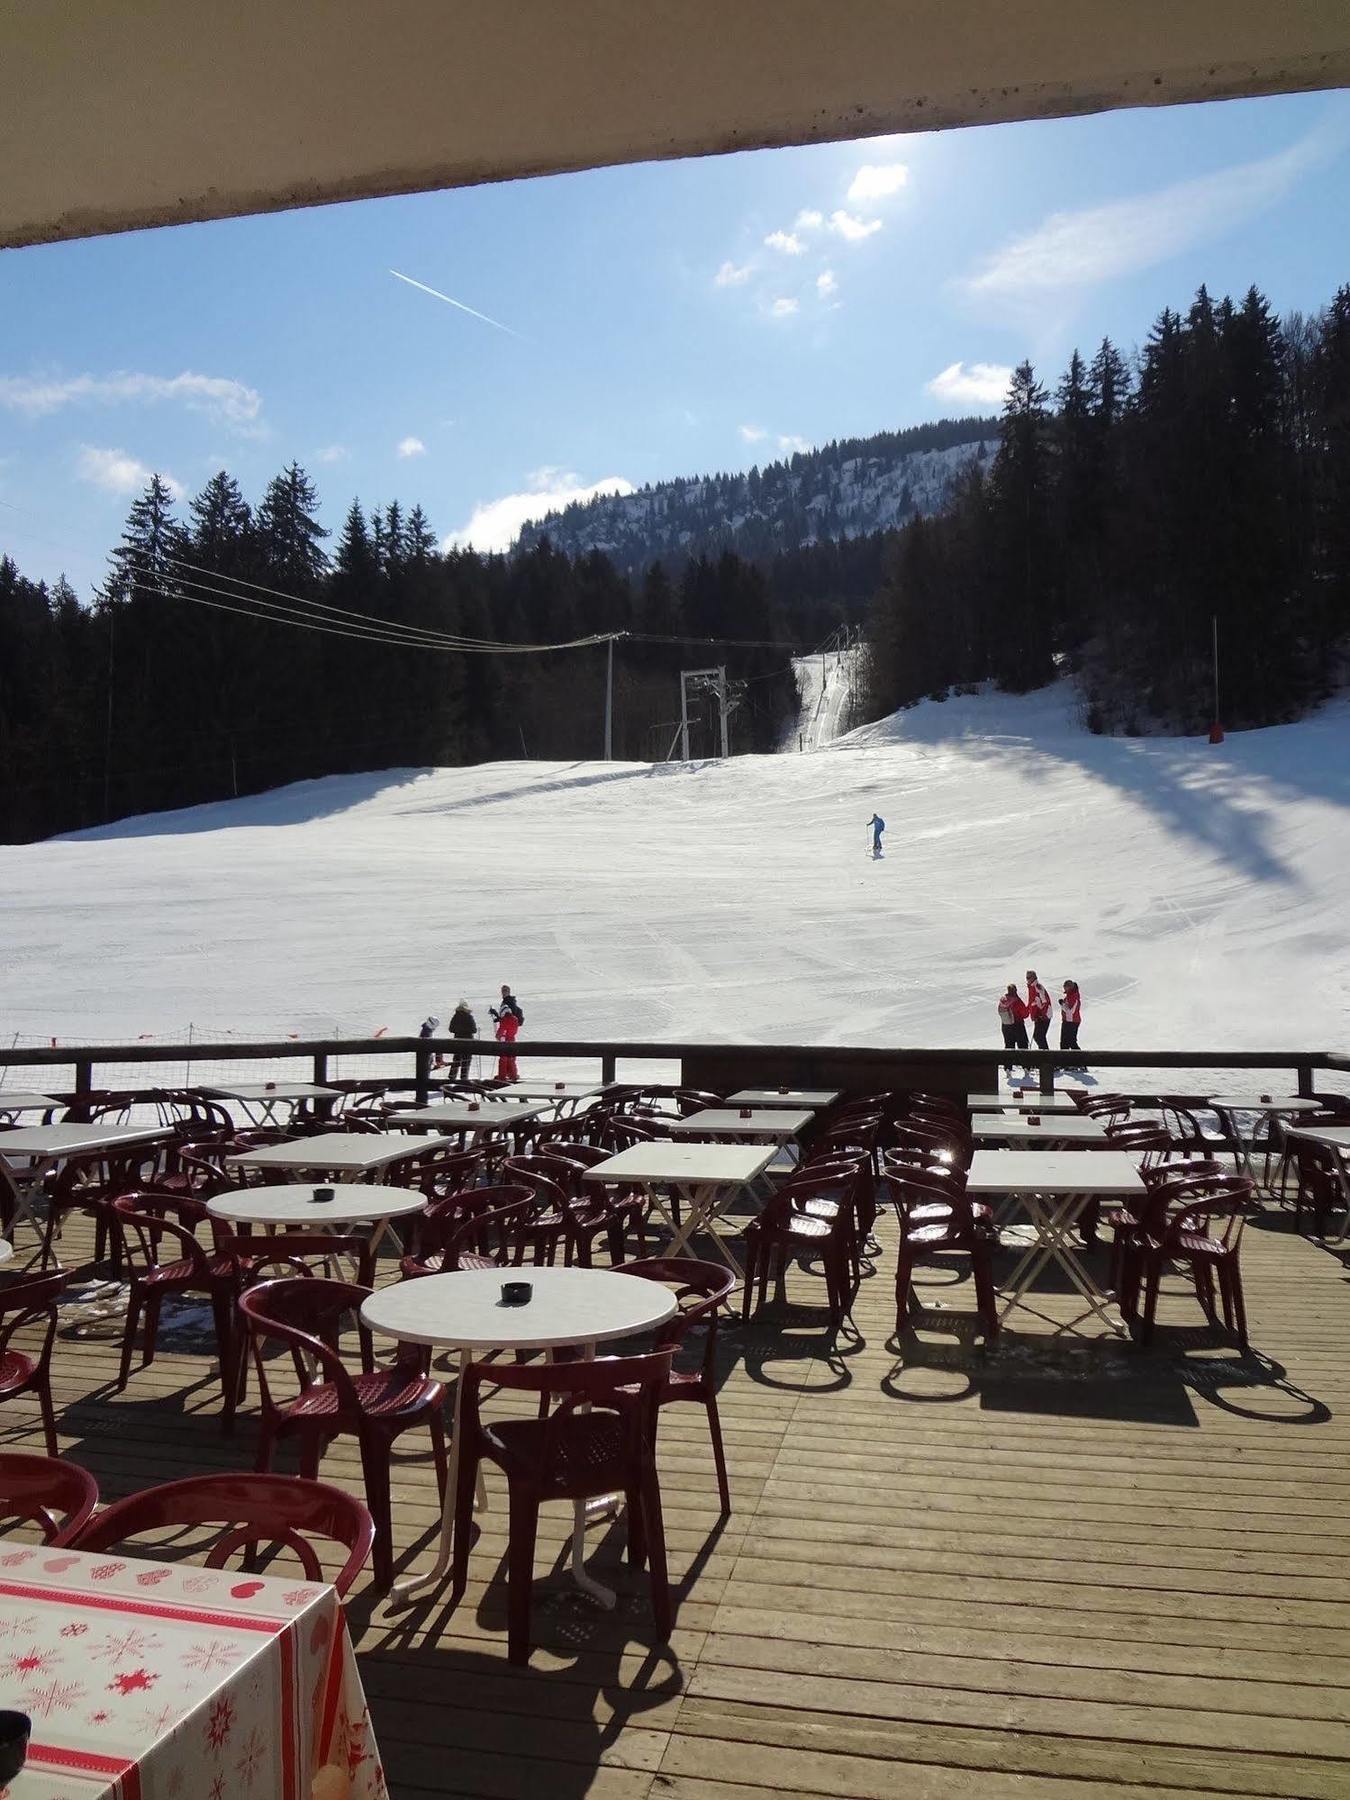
<point>1205,1236</point>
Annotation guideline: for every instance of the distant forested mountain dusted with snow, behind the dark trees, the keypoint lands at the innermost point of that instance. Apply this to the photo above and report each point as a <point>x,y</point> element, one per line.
<point>843,490</point>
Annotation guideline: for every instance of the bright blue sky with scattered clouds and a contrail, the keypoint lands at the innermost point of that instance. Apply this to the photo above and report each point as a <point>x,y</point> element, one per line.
<point>660,319</point>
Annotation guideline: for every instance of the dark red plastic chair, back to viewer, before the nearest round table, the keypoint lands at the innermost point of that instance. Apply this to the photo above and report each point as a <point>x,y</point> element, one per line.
<point>600,1439</point>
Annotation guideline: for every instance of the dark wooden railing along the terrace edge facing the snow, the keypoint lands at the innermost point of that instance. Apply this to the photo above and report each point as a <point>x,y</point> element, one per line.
<point>710,1066</point>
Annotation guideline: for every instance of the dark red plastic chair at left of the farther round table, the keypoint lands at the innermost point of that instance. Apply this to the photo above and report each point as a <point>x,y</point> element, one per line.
<point>150,1223</point>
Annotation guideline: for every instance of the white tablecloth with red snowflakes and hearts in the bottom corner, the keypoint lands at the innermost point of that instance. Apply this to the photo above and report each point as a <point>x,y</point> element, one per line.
<point>170,1682</point>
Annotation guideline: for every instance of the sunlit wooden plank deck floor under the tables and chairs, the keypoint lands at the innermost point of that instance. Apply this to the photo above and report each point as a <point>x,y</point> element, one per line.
<point>1047,1576</point>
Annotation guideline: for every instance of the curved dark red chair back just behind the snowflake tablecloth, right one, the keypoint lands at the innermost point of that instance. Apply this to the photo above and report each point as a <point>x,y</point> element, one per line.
<point>258,1509</point>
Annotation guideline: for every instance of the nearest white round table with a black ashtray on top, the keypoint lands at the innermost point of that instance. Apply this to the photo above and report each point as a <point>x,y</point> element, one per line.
<point>568,1309</point>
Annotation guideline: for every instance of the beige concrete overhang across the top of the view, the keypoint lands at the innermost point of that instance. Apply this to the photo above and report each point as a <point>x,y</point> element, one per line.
<point>121,114</point>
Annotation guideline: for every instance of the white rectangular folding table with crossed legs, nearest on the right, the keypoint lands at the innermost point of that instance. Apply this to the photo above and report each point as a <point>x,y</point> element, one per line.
<point>1056,1185</point>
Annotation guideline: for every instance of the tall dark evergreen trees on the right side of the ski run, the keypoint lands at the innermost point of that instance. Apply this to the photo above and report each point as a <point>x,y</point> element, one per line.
<point>1151,510</point>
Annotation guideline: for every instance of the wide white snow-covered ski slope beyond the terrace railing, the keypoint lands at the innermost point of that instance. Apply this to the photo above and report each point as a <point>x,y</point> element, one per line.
<point>1198,894</point>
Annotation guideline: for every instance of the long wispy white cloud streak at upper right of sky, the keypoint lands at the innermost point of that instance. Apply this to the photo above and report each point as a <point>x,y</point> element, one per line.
<point>1099,244</point>
